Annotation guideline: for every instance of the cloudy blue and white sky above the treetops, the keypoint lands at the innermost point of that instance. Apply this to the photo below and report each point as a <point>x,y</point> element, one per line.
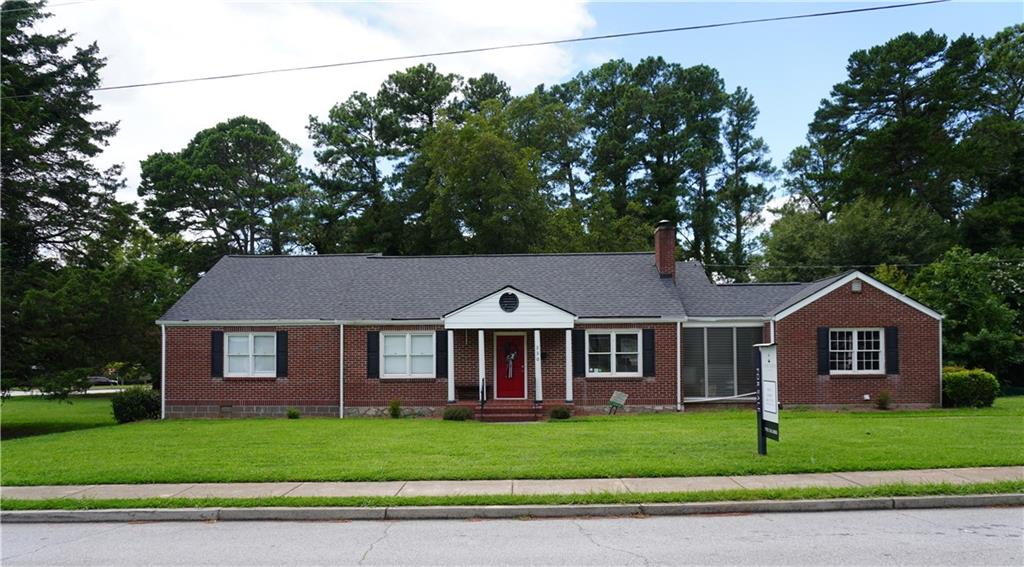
<point>789,67</point>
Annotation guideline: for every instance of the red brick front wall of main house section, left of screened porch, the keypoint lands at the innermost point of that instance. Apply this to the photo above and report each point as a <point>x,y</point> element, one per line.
<point>313,382</point>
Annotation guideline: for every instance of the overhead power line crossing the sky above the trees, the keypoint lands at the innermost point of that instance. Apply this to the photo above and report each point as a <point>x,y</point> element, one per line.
<point>506,47</point>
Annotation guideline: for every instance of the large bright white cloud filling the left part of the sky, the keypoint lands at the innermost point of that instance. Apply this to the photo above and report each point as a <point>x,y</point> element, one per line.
<point>154,41</point>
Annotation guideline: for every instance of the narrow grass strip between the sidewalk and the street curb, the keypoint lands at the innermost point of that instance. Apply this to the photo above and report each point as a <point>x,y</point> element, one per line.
<point>883,491</point>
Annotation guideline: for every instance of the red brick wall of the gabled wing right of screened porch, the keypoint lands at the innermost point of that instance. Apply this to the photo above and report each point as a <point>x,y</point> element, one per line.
<point>918,381</point>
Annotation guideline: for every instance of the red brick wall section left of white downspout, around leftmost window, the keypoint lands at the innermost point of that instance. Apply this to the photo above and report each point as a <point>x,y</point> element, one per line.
<point>312,385</point>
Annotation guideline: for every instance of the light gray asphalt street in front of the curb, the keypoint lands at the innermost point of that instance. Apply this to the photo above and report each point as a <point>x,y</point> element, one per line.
<point>952,537</point>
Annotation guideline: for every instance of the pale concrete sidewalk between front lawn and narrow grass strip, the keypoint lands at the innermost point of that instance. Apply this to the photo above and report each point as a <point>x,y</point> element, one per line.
<point>476,488</point>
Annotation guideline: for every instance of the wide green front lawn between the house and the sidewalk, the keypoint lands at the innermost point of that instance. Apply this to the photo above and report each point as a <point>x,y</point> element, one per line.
<point>663,445</point>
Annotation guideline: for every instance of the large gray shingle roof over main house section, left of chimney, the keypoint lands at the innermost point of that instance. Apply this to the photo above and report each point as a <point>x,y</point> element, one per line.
<point>385,288</point>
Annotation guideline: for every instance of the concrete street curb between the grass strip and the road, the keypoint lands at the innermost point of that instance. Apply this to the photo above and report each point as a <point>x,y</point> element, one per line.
<point>500,512</point>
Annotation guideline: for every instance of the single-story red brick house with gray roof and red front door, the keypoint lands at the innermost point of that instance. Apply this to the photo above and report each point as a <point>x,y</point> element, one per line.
<point>514,335</point>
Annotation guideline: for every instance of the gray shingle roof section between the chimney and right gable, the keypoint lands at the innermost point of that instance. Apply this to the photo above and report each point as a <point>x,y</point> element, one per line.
<point>702,298</point>
